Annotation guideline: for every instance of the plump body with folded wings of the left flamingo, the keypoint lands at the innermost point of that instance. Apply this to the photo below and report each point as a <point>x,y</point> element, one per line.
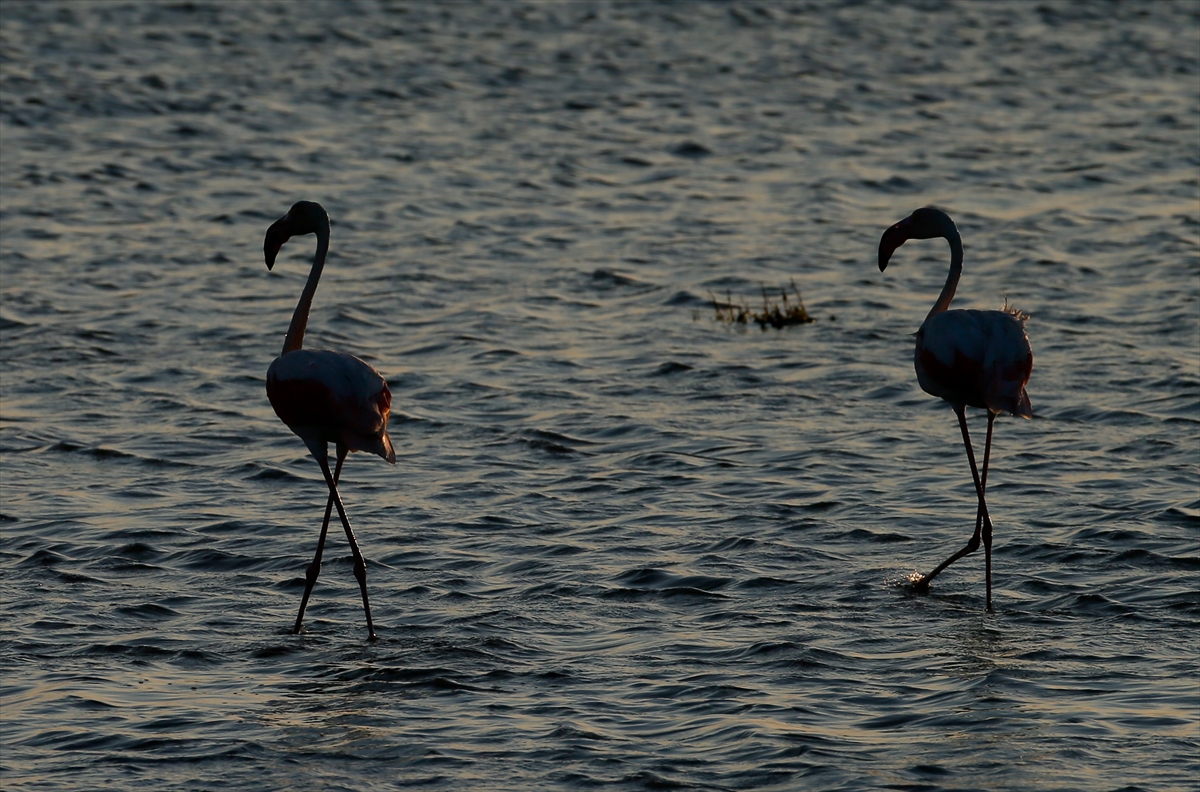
<point>333,397</point>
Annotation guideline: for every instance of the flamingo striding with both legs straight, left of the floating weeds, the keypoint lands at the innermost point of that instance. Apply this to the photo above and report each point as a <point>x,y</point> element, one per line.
<point>326,397</point>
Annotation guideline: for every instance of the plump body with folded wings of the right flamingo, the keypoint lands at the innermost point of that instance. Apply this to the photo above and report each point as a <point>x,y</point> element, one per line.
<point>976,358</point>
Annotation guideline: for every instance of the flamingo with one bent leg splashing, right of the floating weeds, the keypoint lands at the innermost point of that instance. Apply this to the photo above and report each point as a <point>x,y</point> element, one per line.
<point>970,359</point>
